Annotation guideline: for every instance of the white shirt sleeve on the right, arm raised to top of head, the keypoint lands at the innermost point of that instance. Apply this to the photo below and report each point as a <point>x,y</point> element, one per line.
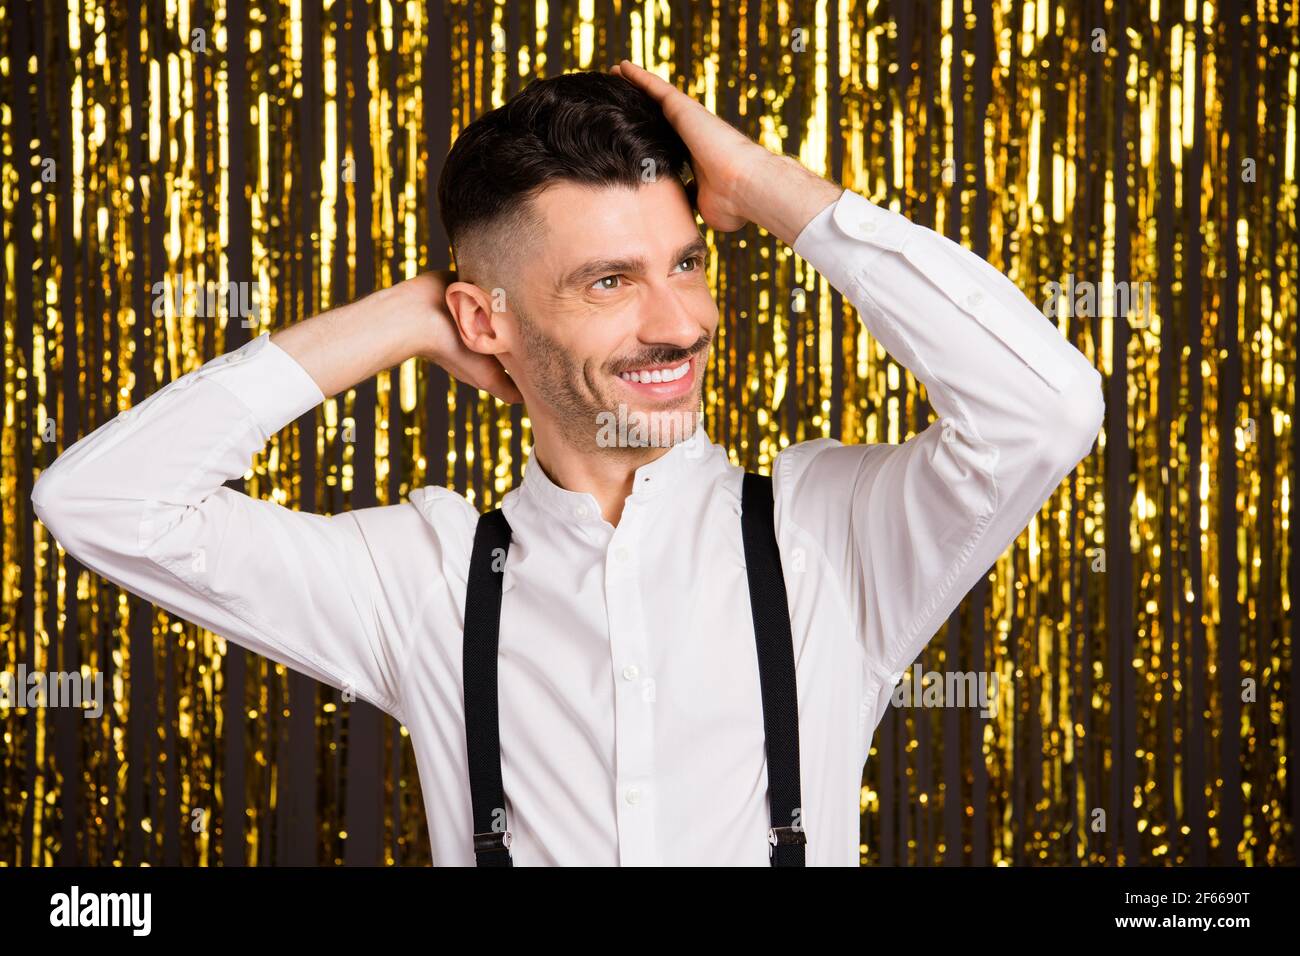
<point>909,529</point>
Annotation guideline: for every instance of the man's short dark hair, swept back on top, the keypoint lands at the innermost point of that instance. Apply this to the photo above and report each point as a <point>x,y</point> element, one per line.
<point>591,128</point>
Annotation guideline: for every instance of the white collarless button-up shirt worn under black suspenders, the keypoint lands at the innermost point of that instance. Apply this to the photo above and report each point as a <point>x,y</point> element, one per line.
<point>631,719</point>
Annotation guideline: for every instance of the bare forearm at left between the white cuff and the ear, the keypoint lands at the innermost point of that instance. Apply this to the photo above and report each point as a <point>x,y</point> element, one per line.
<point>353,343</point>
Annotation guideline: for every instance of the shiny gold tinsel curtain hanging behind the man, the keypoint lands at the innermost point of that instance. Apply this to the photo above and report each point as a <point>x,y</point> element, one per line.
<point>1142,626</point>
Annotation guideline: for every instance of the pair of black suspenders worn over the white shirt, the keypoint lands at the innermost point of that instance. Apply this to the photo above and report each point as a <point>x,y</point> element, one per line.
<point>775,667</point>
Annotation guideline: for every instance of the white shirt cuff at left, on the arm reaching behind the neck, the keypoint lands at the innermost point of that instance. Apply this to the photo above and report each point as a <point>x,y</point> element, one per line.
<point>267,380</point>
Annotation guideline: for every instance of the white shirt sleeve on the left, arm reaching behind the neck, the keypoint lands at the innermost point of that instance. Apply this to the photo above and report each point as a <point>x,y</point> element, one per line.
<point>142,503</point>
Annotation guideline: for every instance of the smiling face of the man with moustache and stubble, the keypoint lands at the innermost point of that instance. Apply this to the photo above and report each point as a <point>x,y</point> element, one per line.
<point>614,313</point>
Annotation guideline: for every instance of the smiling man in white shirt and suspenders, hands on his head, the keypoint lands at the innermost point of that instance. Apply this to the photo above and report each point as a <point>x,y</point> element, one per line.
<point>631,716</point>
